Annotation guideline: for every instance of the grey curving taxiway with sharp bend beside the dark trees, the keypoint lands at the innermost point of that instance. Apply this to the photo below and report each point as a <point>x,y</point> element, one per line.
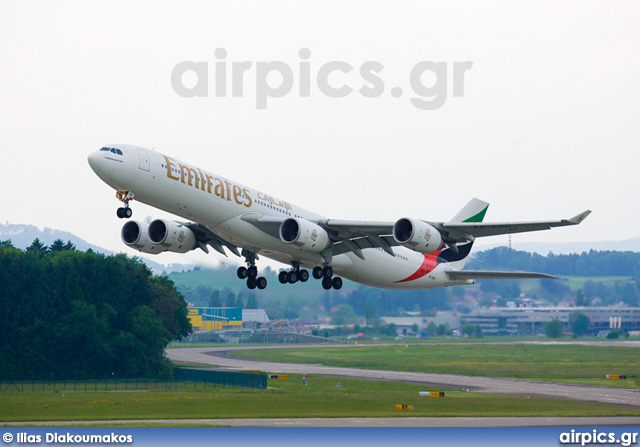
<point>217,357</point>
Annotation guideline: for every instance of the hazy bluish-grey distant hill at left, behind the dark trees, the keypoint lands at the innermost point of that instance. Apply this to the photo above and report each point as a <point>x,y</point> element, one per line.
<point>22,236</point>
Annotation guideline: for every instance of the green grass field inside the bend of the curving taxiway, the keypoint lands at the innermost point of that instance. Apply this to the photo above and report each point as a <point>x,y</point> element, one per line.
<point>563,363</point>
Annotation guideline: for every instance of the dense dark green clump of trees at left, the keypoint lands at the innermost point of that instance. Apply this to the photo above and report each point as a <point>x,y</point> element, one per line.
<point>66,313</point>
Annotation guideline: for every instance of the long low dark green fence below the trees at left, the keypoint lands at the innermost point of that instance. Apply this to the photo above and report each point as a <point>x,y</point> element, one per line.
<point>183,379</point>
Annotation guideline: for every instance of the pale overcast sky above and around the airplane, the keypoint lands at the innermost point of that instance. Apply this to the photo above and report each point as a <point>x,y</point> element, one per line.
<point>547,127</point>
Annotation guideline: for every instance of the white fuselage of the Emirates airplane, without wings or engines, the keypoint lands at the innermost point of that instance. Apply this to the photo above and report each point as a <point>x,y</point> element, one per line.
<point>219,203</point>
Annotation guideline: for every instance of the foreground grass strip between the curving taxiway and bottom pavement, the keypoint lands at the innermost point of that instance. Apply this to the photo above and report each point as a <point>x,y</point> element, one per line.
<point>286,398</point>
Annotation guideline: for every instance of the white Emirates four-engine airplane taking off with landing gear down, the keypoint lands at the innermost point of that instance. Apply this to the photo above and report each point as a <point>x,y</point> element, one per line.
<point>409,253</point>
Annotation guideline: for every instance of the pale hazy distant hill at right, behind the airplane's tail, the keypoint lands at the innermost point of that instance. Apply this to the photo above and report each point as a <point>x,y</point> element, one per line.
<point>565,248</point>
